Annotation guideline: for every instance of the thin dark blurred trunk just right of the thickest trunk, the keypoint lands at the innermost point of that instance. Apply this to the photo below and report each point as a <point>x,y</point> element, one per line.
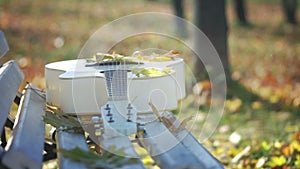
<point>241,12</point>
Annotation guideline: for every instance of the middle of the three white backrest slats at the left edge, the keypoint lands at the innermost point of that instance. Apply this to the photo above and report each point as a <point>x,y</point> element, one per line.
<point>10,80</point>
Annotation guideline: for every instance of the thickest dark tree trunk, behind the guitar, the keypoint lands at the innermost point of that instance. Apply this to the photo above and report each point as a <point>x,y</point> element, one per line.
<point>210,17</point>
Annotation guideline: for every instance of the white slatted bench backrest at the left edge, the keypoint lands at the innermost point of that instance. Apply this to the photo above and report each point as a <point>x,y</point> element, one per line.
<point>25,147</point>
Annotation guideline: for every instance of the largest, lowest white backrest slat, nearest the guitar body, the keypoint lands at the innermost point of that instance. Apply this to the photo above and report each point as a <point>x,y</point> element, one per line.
<point>25,148</point>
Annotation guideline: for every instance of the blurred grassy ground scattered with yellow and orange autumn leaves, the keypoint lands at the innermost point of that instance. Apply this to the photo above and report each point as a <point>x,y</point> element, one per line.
<point>260,126</point>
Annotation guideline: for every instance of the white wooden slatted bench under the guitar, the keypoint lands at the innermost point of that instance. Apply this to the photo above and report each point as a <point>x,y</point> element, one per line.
<point>27,148</point>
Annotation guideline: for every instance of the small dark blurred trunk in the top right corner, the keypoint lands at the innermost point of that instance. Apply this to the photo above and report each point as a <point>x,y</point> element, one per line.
<point>290,10</point>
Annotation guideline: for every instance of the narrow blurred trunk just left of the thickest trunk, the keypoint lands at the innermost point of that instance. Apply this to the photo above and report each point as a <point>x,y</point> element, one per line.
<point>179,11</point>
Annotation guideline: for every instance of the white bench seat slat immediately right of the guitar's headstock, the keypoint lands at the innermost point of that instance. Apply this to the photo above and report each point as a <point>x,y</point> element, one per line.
<point>165,148</point>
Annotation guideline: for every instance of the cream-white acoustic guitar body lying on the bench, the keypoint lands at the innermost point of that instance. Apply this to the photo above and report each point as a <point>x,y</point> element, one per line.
<point>80,89</point>
